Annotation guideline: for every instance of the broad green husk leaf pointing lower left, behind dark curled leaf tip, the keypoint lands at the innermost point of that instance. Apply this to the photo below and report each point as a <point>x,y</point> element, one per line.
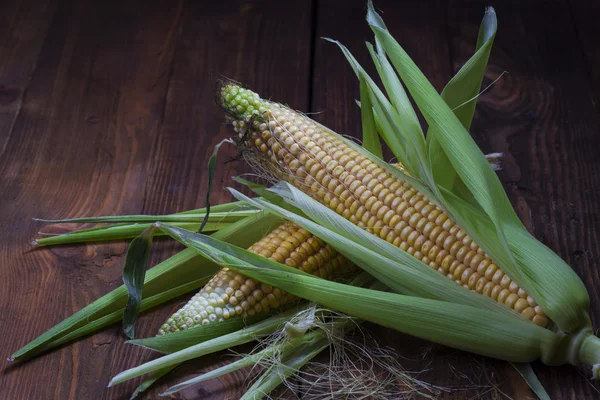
<point>183,268</point>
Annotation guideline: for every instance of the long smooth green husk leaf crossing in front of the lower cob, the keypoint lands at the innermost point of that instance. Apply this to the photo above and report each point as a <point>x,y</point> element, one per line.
<point>464,327</point>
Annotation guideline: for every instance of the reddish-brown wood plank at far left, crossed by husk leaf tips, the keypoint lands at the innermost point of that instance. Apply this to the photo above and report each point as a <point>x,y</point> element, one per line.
<point>80,145</point>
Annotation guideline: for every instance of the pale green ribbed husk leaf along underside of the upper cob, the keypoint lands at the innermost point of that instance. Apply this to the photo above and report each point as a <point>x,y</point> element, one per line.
<point>398,269</point>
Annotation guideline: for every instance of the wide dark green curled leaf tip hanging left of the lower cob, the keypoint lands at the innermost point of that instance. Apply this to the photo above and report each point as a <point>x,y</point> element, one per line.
<point>134,273</point>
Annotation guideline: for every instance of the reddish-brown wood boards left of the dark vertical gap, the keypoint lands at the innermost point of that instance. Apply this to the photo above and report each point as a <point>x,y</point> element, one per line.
<point>119,118</point>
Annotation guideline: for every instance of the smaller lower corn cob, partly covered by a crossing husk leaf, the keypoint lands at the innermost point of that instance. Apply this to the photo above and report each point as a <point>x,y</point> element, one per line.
<point>230,293</point>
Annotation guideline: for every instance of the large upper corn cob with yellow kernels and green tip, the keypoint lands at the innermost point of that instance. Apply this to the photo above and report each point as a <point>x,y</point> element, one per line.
<point>286,145</point>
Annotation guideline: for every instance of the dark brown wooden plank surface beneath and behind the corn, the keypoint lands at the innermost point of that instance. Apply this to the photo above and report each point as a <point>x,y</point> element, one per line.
<point>107,108</point>
